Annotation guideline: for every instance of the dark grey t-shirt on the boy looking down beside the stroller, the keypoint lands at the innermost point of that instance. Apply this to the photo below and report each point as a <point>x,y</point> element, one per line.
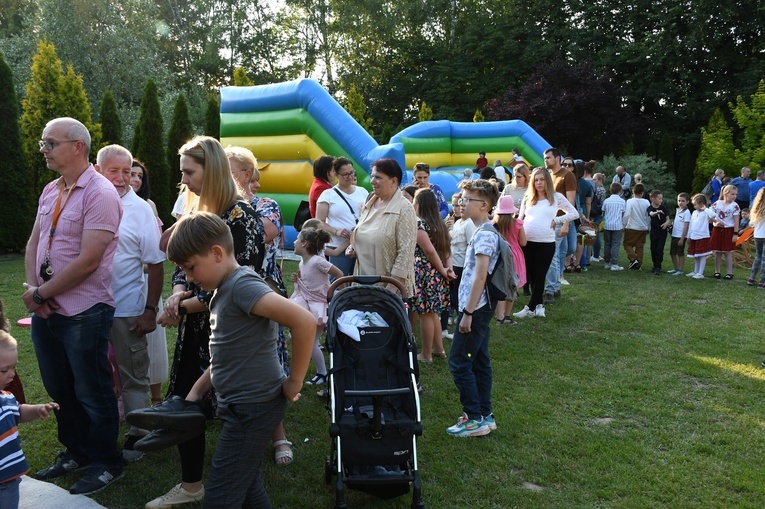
<point>245,367</point>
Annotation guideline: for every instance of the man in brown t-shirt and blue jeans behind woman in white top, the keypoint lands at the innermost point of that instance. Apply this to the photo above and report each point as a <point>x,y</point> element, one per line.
<point>565,235</point>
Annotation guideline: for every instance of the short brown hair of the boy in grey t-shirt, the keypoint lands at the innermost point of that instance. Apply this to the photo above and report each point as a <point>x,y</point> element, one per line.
<point>195,234</point>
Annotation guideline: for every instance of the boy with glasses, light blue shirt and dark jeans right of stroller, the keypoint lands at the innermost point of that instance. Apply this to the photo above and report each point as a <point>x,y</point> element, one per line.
<point>469,356</point>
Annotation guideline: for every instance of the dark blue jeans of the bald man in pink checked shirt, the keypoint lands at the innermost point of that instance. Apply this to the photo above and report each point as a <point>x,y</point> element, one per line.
<point>72,355</point>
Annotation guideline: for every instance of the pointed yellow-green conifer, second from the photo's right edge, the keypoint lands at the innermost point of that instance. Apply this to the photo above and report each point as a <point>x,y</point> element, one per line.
<point>717,151</point>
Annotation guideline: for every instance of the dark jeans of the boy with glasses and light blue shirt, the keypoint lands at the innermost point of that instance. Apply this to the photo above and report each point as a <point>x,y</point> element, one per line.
<point>470,366</point>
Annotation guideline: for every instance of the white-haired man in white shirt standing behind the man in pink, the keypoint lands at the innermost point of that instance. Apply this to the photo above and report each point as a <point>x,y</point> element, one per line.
<point>136,312</point>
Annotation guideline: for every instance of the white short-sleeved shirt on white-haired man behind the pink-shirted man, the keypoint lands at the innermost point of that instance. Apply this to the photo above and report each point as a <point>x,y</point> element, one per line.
<point>138,243</point>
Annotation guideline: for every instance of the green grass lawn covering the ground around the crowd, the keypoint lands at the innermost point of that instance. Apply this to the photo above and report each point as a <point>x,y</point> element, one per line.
<point>636,391</point>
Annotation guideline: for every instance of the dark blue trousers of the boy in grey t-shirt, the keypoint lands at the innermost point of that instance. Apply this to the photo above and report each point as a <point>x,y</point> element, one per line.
<point>235,477</point>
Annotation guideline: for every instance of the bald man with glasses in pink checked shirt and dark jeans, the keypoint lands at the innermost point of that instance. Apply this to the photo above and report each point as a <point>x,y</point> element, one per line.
<point>68,265</point>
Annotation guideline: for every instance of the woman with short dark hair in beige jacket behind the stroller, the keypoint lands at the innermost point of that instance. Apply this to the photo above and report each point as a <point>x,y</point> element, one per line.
<point>383,241</point>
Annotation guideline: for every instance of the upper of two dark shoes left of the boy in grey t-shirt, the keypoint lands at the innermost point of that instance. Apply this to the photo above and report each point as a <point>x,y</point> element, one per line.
<point>174,413</point>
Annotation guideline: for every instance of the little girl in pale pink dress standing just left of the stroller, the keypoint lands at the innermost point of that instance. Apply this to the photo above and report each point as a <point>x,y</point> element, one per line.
<point>311,286</point>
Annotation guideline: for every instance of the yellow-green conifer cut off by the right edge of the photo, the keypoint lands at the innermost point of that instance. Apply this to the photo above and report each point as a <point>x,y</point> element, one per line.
<point>751,121</point>
